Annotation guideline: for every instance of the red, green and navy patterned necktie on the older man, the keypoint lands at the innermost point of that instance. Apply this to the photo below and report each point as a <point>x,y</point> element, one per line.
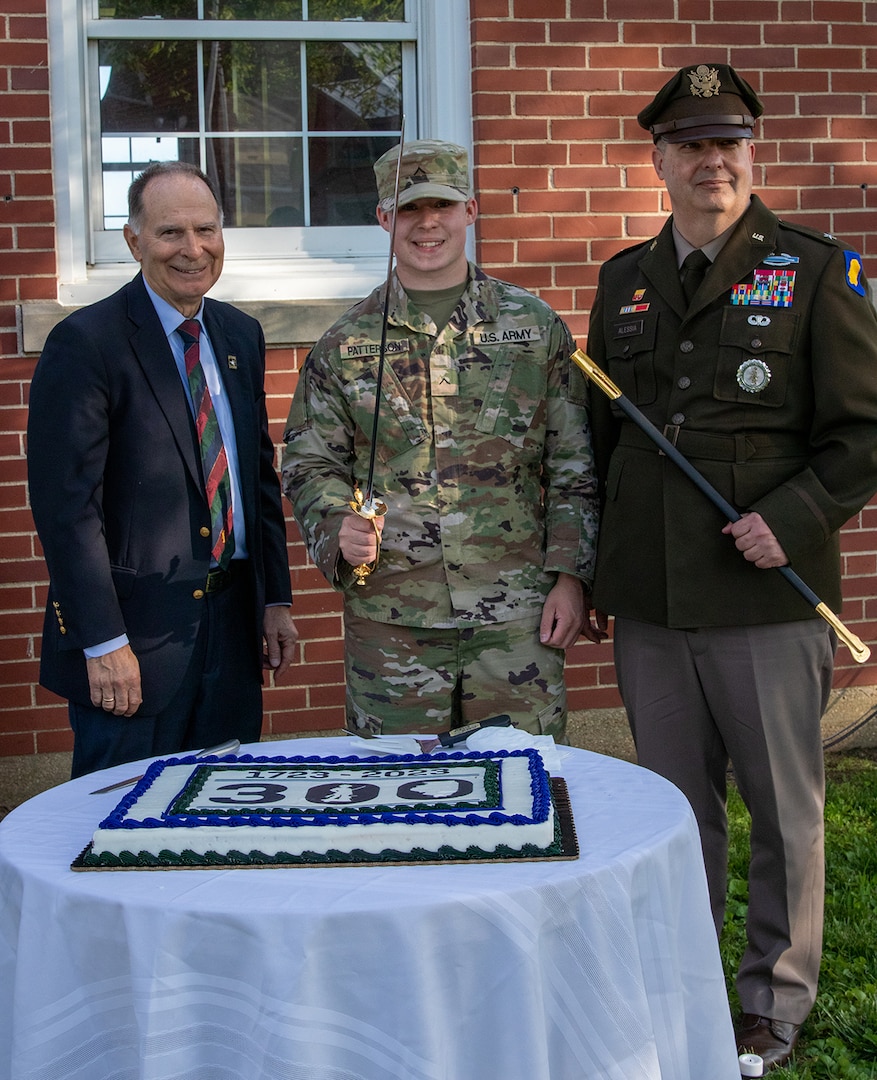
<point>218,482</point>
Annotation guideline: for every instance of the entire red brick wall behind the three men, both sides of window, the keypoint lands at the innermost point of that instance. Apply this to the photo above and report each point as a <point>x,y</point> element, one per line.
<point>564,181</point>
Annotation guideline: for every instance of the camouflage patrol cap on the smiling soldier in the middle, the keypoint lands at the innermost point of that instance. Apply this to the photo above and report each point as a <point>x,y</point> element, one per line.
<point>430,170</point>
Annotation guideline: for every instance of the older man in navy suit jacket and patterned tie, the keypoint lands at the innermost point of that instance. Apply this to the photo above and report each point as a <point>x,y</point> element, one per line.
<point>156,498</point>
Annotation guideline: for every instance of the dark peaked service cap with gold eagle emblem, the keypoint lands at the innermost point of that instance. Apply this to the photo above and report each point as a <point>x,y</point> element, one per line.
<point>705,101</point>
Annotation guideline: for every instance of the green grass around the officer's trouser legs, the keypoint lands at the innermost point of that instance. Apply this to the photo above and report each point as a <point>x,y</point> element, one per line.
<point>840,1039</point>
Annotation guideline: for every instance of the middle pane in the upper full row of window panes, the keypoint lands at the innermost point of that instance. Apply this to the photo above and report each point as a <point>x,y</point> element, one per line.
<point>253,86</point>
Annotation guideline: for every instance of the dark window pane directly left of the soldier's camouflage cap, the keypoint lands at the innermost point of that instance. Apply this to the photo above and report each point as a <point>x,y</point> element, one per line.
<point>343,181</point>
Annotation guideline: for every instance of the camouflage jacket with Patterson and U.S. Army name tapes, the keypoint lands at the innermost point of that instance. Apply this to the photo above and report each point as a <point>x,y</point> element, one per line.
<point>484,457</point>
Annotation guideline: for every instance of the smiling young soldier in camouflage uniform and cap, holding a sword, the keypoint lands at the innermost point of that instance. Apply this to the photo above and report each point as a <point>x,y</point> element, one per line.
<point>487,551</point>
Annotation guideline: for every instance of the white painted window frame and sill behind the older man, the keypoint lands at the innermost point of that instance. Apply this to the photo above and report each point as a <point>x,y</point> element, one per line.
<point>291,264</point>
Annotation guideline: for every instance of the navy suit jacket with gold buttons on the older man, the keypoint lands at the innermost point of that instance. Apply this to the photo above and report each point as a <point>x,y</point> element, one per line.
<point>117,494</point>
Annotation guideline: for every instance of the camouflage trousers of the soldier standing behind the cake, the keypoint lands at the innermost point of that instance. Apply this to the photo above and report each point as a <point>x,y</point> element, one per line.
<point>411,680</point>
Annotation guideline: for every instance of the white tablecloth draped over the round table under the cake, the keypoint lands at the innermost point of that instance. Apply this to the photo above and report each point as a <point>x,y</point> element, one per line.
<point>604,968</point>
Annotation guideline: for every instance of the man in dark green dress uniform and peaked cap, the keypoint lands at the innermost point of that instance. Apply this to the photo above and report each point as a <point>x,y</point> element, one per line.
<point>760,362</point>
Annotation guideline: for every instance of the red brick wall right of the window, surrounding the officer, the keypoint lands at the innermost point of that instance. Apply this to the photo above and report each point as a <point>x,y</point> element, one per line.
<point>565,179</point>
